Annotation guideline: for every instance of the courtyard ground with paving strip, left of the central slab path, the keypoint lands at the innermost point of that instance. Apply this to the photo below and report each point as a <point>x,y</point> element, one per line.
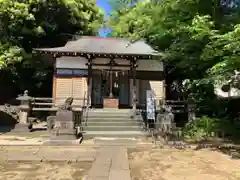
<point>45,163</point>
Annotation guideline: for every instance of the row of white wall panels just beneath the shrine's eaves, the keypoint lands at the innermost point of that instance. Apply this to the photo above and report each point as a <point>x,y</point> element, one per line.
<point>80,63</point>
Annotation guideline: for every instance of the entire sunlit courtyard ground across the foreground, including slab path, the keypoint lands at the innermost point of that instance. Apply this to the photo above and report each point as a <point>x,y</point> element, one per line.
<point>111,162</point>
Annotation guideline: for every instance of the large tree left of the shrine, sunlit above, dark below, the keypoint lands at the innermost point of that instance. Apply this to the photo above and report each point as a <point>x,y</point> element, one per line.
<point>39,23</point>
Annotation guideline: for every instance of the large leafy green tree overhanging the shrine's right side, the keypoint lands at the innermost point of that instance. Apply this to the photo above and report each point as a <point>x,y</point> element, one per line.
<point>200,40</point>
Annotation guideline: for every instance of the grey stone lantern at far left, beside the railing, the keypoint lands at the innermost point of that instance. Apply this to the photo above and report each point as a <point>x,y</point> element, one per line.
<point>24,107</point>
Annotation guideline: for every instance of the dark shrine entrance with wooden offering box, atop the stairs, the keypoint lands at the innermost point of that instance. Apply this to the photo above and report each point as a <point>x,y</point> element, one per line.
<point>110,88</point>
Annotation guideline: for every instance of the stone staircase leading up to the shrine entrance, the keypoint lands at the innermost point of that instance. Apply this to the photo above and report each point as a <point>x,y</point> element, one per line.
<point>112,123</point>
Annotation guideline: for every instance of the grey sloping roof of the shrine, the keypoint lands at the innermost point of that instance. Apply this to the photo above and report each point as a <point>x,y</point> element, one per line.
<point>89,44</point>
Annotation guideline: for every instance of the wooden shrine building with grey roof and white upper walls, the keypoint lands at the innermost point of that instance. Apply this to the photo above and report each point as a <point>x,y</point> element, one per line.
<point>106,72</point>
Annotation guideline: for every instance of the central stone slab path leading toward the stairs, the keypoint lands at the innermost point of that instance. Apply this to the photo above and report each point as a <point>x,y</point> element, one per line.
<point>111,163</point>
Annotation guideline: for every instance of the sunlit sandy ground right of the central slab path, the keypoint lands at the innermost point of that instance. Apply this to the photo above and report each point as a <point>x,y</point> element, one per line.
<point>173,164</point>
